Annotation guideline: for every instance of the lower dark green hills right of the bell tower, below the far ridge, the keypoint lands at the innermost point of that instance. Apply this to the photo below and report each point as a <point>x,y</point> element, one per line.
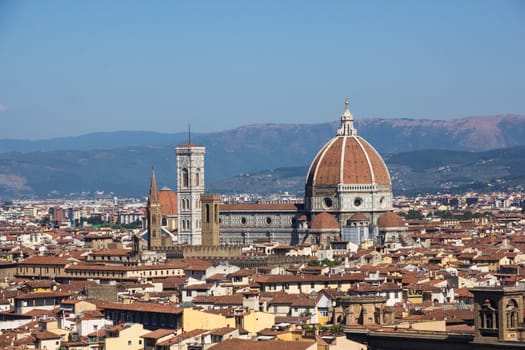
<point>427,171</point>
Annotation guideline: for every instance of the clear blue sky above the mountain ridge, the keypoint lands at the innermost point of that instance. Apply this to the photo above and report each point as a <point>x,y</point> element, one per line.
<point>73,67</point>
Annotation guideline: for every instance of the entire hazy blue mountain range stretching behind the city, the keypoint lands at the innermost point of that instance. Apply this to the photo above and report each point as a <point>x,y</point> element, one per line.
<point>120,162</point>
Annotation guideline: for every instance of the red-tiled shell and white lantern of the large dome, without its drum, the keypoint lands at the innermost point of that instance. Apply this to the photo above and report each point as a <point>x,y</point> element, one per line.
<point>347,159</point>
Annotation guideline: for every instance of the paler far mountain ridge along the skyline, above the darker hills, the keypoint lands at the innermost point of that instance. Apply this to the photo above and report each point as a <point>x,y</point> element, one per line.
<point>387,135</point>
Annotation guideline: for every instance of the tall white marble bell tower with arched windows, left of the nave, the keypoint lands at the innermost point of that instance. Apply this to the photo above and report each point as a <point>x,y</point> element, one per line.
<point>190,187</point>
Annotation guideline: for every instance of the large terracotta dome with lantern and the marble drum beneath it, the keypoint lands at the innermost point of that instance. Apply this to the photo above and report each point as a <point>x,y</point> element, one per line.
<point>348,176</point>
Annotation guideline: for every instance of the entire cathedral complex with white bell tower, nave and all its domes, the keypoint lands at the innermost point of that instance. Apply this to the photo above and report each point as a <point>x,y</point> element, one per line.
<point>348,197</point>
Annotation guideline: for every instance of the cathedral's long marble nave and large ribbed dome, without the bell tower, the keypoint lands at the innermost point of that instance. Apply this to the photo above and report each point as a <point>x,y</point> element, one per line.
<point>347,179</point>
